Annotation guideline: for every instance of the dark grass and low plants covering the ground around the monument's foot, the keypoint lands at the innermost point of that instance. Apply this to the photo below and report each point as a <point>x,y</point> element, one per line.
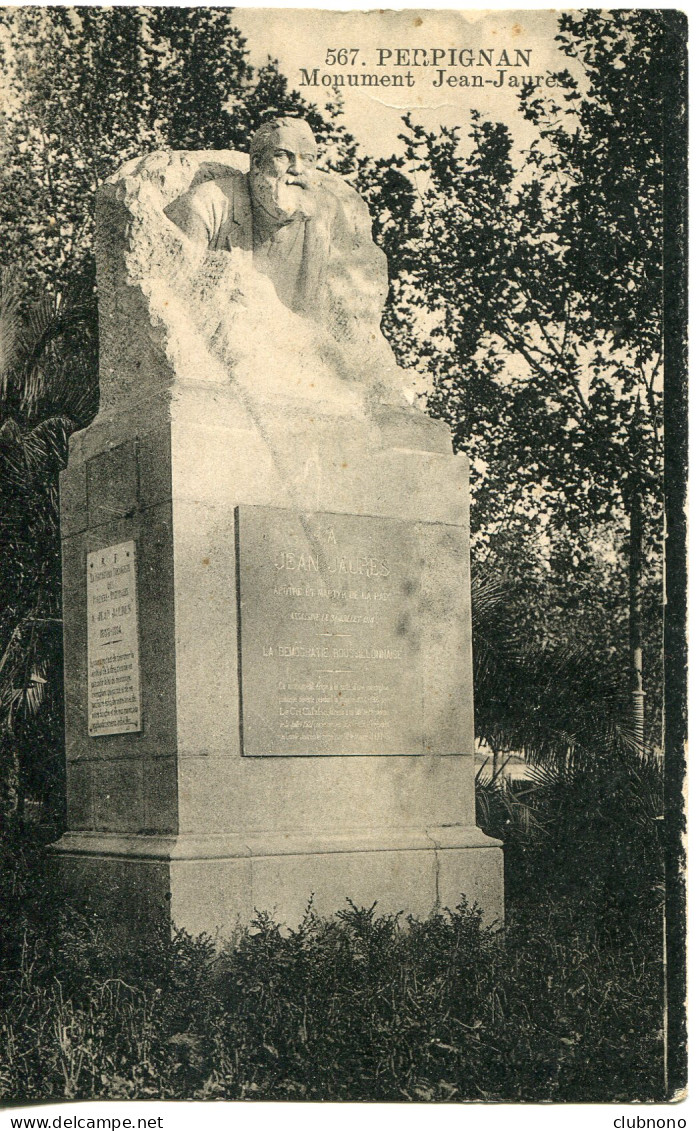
<point>565,1005</point>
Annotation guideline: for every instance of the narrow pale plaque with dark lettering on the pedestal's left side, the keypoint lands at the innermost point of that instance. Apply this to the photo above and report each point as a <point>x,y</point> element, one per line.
<point>114,662</point>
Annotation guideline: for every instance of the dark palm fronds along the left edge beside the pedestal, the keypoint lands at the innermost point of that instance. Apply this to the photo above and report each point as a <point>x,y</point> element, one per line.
<point>47,357</point>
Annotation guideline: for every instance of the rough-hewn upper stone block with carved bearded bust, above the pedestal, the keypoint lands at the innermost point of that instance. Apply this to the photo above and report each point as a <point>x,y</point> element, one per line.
<point>254,270</point>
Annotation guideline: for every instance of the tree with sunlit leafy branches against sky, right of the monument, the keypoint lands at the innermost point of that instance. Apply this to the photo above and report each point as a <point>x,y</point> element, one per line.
<point>542,283</point>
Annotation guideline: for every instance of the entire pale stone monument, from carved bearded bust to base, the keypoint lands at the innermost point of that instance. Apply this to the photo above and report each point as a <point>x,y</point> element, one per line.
<point>267,595</point>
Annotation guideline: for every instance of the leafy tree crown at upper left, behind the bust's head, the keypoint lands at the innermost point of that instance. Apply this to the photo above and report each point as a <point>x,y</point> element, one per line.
<point>88,89</point>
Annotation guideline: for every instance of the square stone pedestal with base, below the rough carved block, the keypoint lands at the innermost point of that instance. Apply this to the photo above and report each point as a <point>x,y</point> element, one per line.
<point>306,716</point>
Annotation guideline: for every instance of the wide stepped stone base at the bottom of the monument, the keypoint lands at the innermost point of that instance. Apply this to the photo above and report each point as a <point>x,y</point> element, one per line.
<point>217,884</point>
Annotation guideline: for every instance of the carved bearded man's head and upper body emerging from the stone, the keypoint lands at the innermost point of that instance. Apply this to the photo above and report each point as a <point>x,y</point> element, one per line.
<point>310,232</point>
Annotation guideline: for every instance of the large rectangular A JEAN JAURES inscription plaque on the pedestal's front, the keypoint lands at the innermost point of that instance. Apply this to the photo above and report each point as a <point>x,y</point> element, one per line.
<point>330,642</point>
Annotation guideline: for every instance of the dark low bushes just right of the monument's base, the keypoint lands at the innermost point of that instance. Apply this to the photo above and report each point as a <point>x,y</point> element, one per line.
<point>590,835</point>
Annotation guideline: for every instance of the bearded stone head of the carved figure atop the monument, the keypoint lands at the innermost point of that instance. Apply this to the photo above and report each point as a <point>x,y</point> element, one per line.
<point>282,175</point>
